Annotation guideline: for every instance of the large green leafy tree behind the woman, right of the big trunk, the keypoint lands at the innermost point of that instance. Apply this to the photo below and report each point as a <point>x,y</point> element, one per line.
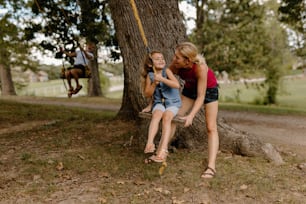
<point>236,37</point>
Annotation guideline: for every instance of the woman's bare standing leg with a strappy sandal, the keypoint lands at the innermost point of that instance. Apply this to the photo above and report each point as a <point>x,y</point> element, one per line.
<point>211,112</point>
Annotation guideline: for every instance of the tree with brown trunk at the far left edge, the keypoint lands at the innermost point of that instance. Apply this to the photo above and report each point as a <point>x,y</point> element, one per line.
<point>14,50</point>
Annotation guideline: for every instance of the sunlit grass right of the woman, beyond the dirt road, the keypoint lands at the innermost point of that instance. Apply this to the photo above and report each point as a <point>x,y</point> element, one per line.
<point>291,98</point>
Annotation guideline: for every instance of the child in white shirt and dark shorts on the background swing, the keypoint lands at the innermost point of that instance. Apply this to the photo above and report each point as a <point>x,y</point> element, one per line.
<point>78,70</point>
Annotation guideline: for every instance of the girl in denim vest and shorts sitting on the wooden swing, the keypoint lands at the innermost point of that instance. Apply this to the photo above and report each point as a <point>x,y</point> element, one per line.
<point>161,85</point>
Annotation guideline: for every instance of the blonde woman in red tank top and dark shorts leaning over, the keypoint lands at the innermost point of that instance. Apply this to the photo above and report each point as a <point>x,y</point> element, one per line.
<point>200,87</point>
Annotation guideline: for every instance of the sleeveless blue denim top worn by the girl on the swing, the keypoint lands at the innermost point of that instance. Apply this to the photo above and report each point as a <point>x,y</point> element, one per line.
<point>170,95</point>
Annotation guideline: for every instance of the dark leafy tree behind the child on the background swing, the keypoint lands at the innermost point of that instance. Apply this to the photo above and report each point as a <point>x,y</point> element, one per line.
<point>66,22</point>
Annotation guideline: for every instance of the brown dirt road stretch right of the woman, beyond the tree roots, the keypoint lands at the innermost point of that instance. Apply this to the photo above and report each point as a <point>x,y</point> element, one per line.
<point>285,132</point>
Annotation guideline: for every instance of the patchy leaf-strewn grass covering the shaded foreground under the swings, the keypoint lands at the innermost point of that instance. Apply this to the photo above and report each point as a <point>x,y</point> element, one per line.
<point>100,166</point>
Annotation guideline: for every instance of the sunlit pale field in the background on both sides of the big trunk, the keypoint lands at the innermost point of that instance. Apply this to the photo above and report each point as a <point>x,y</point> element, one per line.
<point>292,93</point>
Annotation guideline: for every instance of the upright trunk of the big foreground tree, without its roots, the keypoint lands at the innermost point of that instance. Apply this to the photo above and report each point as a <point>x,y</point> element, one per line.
<point>163,27</point>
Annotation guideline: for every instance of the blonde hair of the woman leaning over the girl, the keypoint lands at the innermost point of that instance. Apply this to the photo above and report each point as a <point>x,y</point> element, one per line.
<point>190,51</point>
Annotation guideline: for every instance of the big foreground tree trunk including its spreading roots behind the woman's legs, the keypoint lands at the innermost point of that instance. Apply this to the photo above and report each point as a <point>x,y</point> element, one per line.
<point>164,29</point>
